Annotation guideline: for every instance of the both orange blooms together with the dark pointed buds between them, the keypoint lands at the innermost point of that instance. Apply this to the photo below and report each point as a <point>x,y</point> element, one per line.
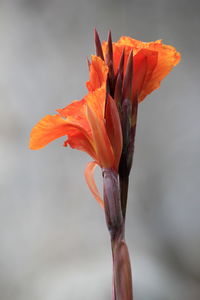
<point>103,123</point>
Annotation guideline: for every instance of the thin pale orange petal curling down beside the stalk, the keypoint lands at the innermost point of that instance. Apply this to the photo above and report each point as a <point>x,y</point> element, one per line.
<point>89,176</point>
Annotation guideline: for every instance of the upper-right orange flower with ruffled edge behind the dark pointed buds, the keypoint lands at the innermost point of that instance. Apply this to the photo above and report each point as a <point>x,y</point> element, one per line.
<point>151,63</point>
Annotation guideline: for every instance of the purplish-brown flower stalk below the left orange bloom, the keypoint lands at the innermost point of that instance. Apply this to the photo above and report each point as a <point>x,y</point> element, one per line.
<point>122,278</point>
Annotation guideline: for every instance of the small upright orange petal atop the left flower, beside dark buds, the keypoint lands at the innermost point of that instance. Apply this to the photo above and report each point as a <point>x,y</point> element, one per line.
<point>98,73</point>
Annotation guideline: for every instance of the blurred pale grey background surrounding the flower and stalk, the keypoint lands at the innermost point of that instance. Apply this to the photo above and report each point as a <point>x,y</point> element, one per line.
<point>53,240</point>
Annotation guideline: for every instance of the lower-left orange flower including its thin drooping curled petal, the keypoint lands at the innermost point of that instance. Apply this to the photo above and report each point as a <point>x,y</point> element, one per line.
<point>91,125</point>
